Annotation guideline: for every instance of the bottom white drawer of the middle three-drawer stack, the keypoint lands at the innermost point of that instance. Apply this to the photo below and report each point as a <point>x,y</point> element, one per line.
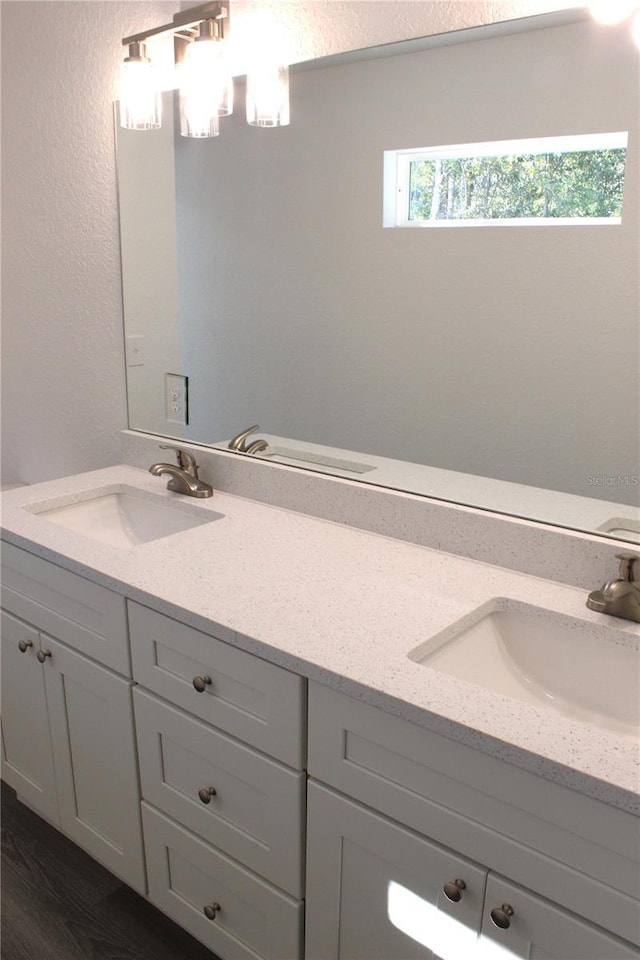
<point>186,875</point>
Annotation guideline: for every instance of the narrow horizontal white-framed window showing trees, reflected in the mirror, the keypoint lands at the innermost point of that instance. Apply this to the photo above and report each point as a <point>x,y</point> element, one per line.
<point>549,180</point>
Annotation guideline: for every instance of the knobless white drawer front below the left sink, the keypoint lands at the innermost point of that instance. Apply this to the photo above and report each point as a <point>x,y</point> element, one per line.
<point>85,616</point>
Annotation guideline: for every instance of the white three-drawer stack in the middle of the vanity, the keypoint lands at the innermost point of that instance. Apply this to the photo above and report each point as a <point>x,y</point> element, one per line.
<point>221,738</point>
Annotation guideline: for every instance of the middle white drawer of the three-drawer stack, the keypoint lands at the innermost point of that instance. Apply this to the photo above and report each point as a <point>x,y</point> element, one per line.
<point>256,812</point>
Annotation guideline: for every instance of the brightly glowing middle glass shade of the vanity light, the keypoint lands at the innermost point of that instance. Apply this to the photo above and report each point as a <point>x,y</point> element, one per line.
<point>206,89</point>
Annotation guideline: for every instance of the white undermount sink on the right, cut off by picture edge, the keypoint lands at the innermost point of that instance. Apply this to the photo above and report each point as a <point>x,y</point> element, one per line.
<point>581,670</point>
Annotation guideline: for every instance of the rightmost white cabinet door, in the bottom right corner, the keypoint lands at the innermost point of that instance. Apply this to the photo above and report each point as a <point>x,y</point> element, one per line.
<point>518,924</point>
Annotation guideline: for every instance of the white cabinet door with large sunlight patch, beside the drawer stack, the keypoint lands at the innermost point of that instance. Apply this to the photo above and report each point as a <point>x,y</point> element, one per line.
<point>376,891</point>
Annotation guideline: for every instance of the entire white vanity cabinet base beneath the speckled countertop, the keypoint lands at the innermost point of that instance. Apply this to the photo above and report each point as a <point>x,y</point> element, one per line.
<point>417,846</point>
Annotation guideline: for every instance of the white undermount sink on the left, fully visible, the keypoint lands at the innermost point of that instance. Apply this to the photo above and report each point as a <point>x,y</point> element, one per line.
<point>125,517</point>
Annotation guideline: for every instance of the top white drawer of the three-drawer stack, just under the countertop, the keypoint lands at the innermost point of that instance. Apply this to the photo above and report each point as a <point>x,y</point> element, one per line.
<point>253,700</point>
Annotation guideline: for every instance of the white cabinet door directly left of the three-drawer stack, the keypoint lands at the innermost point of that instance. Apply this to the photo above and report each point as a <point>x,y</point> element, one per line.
<point>91,719</point>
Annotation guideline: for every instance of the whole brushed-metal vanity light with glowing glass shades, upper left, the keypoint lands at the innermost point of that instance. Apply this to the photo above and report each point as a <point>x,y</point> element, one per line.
<point>202,76</point>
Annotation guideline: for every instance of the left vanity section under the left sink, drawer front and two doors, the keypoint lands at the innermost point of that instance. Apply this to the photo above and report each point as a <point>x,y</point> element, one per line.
<point>67,721</point>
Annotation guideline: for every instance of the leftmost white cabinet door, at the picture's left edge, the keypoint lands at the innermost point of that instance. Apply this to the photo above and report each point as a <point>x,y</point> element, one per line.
<point>27,759</point>
